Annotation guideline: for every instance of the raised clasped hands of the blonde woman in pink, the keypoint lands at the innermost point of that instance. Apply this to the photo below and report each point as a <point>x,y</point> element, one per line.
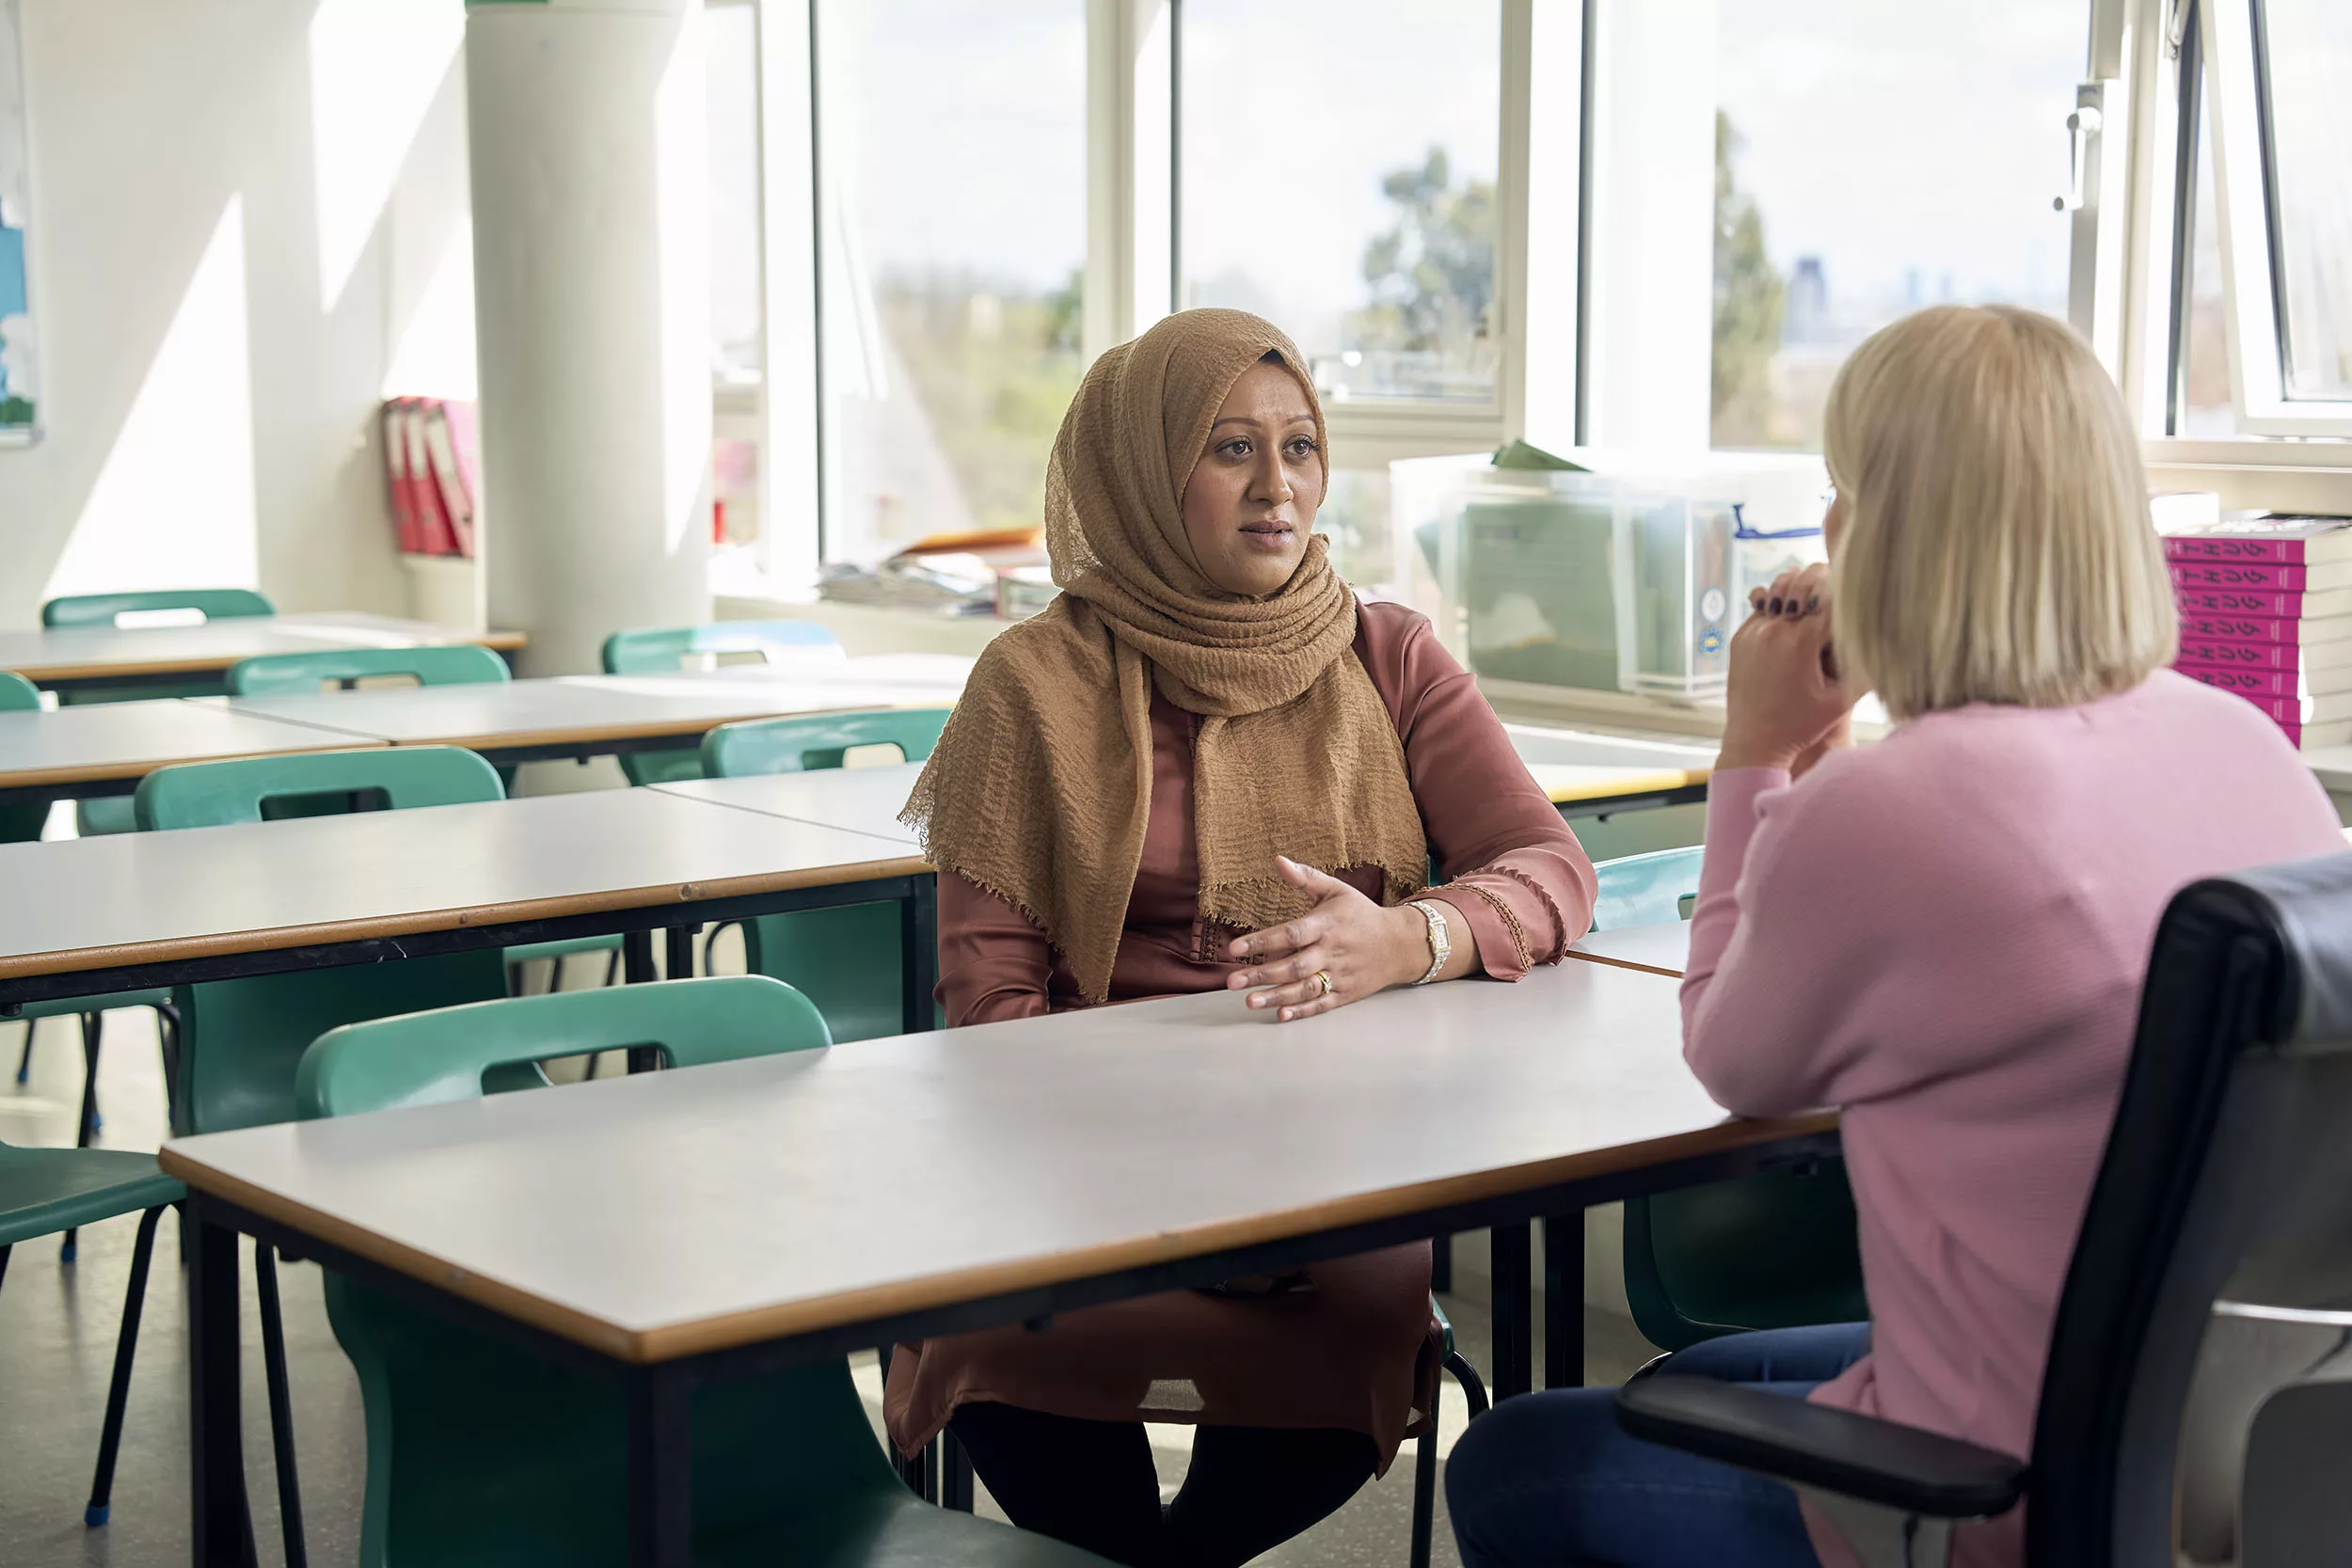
<point>1786,702</point>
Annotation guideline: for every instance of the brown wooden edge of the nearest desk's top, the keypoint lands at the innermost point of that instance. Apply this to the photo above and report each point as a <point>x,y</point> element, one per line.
<point>763,1325</point>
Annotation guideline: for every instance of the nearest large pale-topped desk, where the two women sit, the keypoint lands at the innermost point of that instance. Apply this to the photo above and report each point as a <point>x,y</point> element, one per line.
<point>799,1207</point>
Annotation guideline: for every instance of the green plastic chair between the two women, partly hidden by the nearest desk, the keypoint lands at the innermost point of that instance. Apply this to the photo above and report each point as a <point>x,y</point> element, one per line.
<point>1760,1252</point>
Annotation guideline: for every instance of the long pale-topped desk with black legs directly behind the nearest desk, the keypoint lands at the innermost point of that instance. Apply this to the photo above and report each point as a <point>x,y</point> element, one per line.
<point>203,904</point>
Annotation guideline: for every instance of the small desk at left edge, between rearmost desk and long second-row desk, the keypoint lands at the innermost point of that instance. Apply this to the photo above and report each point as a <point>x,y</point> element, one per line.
<point>107,749</point>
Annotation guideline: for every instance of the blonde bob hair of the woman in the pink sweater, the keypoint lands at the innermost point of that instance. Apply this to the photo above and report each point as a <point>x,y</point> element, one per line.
<point>1998,544</point>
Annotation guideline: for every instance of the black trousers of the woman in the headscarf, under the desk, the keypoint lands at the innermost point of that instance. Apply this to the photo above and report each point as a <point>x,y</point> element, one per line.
<point>1093,1485</point>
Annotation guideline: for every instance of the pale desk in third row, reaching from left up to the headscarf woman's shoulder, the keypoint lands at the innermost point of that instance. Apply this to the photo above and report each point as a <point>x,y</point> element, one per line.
<point>587,716</point>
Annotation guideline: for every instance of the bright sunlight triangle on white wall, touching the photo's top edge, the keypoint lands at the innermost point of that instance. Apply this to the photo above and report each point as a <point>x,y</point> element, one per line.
<point>375,67</point>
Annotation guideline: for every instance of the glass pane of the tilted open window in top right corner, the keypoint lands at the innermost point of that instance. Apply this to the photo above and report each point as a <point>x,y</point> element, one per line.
<point>2308,60</point>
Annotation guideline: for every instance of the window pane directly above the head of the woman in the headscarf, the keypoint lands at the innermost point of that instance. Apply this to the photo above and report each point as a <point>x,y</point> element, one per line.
<point>1339,163</point>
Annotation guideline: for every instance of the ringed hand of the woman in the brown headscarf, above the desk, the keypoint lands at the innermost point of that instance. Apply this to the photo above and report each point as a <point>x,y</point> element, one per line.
<point>1347,937</point>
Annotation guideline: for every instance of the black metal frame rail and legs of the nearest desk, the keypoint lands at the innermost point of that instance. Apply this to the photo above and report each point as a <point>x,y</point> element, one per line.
<point>218,1475</point>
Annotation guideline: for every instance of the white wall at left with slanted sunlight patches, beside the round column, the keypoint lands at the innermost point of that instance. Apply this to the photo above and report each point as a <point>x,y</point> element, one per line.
<point>215,337</point>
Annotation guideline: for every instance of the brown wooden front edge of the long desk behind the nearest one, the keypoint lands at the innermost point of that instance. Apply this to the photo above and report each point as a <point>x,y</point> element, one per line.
<point>455,918</point>
